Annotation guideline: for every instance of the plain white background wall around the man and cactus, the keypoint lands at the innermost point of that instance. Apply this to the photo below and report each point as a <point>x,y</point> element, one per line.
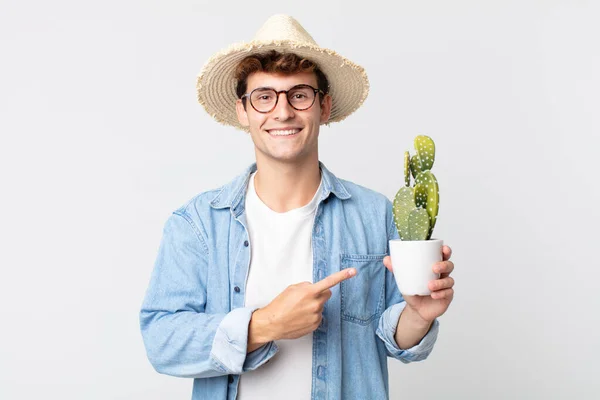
<point>102,138</point>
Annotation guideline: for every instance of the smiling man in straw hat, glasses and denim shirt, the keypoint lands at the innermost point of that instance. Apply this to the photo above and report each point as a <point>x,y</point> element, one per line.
<point>273,285</point>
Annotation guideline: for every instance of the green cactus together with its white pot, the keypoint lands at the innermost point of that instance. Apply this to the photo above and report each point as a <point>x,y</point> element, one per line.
<point>415,214</point>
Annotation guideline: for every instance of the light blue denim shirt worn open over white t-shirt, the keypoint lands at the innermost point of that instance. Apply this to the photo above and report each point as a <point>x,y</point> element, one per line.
<point>194,323</point>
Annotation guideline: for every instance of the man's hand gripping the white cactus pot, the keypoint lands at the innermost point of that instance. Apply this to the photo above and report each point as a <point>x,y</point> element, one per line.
<point>430,307</point>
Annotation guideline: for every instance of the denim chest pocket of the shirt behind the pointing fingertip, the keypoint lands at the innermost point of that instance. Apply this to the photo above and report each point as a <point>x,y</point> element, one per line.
<point>363,295</point>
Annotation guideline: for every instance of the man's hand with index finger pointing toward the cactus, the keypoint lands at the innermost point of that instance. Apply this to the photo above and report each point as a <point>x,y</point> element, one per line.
<point>295,312</point>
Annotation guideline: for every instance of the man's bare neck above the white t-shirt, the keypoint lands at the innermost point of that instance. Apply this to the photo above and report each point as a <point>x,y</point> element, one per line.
<point>283,187</point>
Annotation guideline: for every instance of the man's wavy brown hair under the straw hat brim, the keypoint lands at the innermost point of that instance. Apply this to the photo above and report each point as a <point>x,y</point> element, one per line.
<point>276,62</point>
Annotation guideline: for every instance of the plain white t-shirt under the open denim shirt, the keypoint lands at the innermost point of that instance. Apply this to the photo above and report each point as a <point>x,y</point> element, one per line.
<point>281,255</point>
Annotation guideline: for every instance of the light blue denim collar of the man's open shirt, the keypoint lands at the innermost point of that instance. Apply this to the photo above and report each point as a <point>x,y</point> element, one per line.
<point>232,194</point>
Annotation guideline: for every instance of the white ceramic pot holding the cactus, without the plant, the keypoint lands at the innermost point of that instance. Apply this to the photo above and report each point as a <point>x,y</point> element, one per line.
<point>412,262</point>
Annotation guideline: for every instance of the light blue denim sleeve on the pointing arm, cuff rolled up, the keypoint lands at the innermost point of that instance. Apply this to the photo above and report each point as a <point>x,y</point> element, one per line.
<point>180,338</point>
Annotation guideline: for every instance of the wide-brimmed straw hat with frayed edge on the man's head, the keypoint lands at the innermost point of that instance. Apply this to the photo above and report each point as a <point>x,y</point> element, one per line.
<point>216,84</point>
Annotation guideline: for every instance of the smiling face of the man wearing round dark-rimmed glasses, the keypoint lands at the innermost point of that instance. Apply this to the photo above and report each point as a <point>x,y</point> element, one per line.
<point>284,134</point>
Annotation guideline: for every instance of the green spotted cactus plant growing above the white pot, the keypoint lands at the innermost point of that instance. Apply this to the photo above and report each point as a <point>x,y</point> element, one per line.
<point>416,208</point>
